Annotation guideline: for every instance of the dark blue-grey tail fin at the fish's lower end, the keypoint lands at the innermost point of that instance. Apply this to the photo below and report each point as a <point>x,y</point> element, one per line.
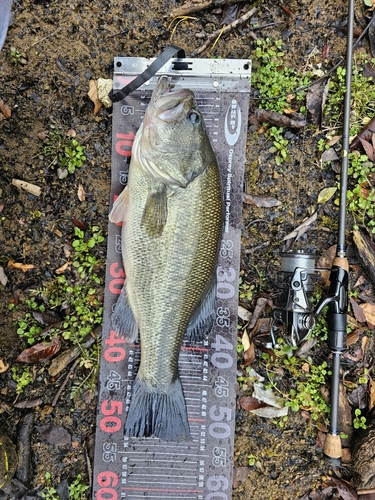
<point>158,414</point>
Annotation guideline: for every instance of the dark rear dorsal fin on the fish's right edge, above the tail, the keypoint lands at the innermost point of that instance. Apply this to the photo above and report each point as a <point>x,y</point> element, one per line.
<point>201,322</point>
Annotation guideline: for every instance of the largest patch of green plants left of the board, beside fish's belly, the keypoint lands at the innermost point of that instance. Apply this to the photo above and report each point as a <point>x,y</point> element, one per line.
<point>80,297</point>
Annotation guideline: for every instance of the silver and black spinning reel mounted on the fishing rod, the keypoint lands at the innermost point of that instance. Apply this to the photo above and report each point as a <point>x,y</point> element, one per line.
<point>295,310</point>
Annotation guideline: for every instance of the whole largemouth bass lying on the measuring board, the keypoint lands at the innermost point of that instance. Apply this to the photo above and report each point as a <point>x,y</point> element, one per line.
<point>172,215</point>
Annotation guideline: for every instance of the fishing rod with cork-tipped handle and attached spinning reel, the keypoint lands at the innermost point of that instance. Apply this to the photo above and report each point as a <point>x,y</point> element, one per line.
<point>298,276</point>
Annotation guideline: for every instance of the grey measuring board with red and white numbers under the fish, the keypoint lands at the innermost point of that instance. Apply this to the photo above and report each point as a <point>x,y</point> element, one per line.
<point>200,469</point>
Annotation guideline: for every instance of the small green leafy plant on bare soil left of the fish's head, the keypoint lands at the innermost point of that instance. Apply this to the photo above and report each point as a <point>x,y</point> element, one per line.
<point>66,152</point>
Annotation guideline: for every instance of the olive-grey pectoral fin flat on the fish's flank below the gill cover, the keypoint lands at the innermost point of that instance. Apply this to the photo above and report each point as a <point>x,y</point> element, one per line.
<point>155,212</point>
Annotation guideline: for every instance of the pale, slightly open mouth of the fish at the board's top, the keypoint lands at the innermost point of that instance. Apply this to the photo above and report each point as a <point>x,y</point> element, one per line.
<point>170,103</point>
